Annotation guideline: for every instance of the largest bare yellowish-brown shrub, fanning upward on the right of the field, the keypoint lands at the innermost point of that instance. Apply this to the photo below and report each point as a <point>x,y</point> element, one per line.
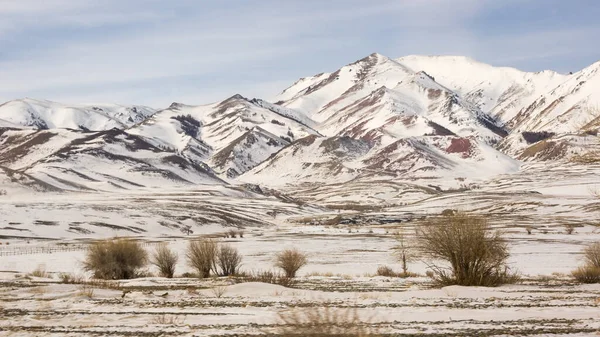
<point>473,254</point>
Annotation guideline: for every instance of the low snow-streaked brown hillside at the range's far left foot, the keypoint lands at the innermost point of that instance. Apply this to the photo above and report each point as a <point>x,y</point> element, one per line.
<point>69,160</point>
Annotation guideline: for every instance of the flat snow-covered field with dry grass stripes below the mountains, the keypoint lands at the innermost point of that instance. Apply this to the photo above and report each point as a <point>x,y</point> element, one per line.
<point>341,274</point>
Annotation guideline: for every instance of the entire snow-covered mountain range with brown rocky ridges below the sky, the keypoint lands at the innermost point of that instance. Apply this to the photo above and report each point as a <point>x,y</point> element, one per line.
<point>439,122</point>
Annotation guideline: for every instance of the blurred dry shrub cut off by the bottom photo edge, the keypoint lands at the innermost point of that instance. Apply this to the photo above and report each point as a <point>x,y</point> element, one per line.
<point>325,321</point>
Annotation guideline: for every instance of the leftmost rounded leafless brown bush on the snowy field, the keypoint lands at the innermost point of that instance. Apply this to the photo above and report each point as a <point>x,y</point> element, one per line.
<point>115,259</point>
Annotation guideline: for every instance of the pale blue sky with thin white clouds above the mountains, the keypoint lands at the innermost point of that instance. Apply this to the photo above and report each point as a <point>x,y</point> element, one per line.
<point>155,52</point>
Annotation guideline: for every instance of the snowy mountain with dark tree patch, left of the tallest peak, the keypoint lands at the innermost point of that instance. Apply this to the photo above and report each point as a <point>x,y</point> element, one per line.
<point>232,136</point>
